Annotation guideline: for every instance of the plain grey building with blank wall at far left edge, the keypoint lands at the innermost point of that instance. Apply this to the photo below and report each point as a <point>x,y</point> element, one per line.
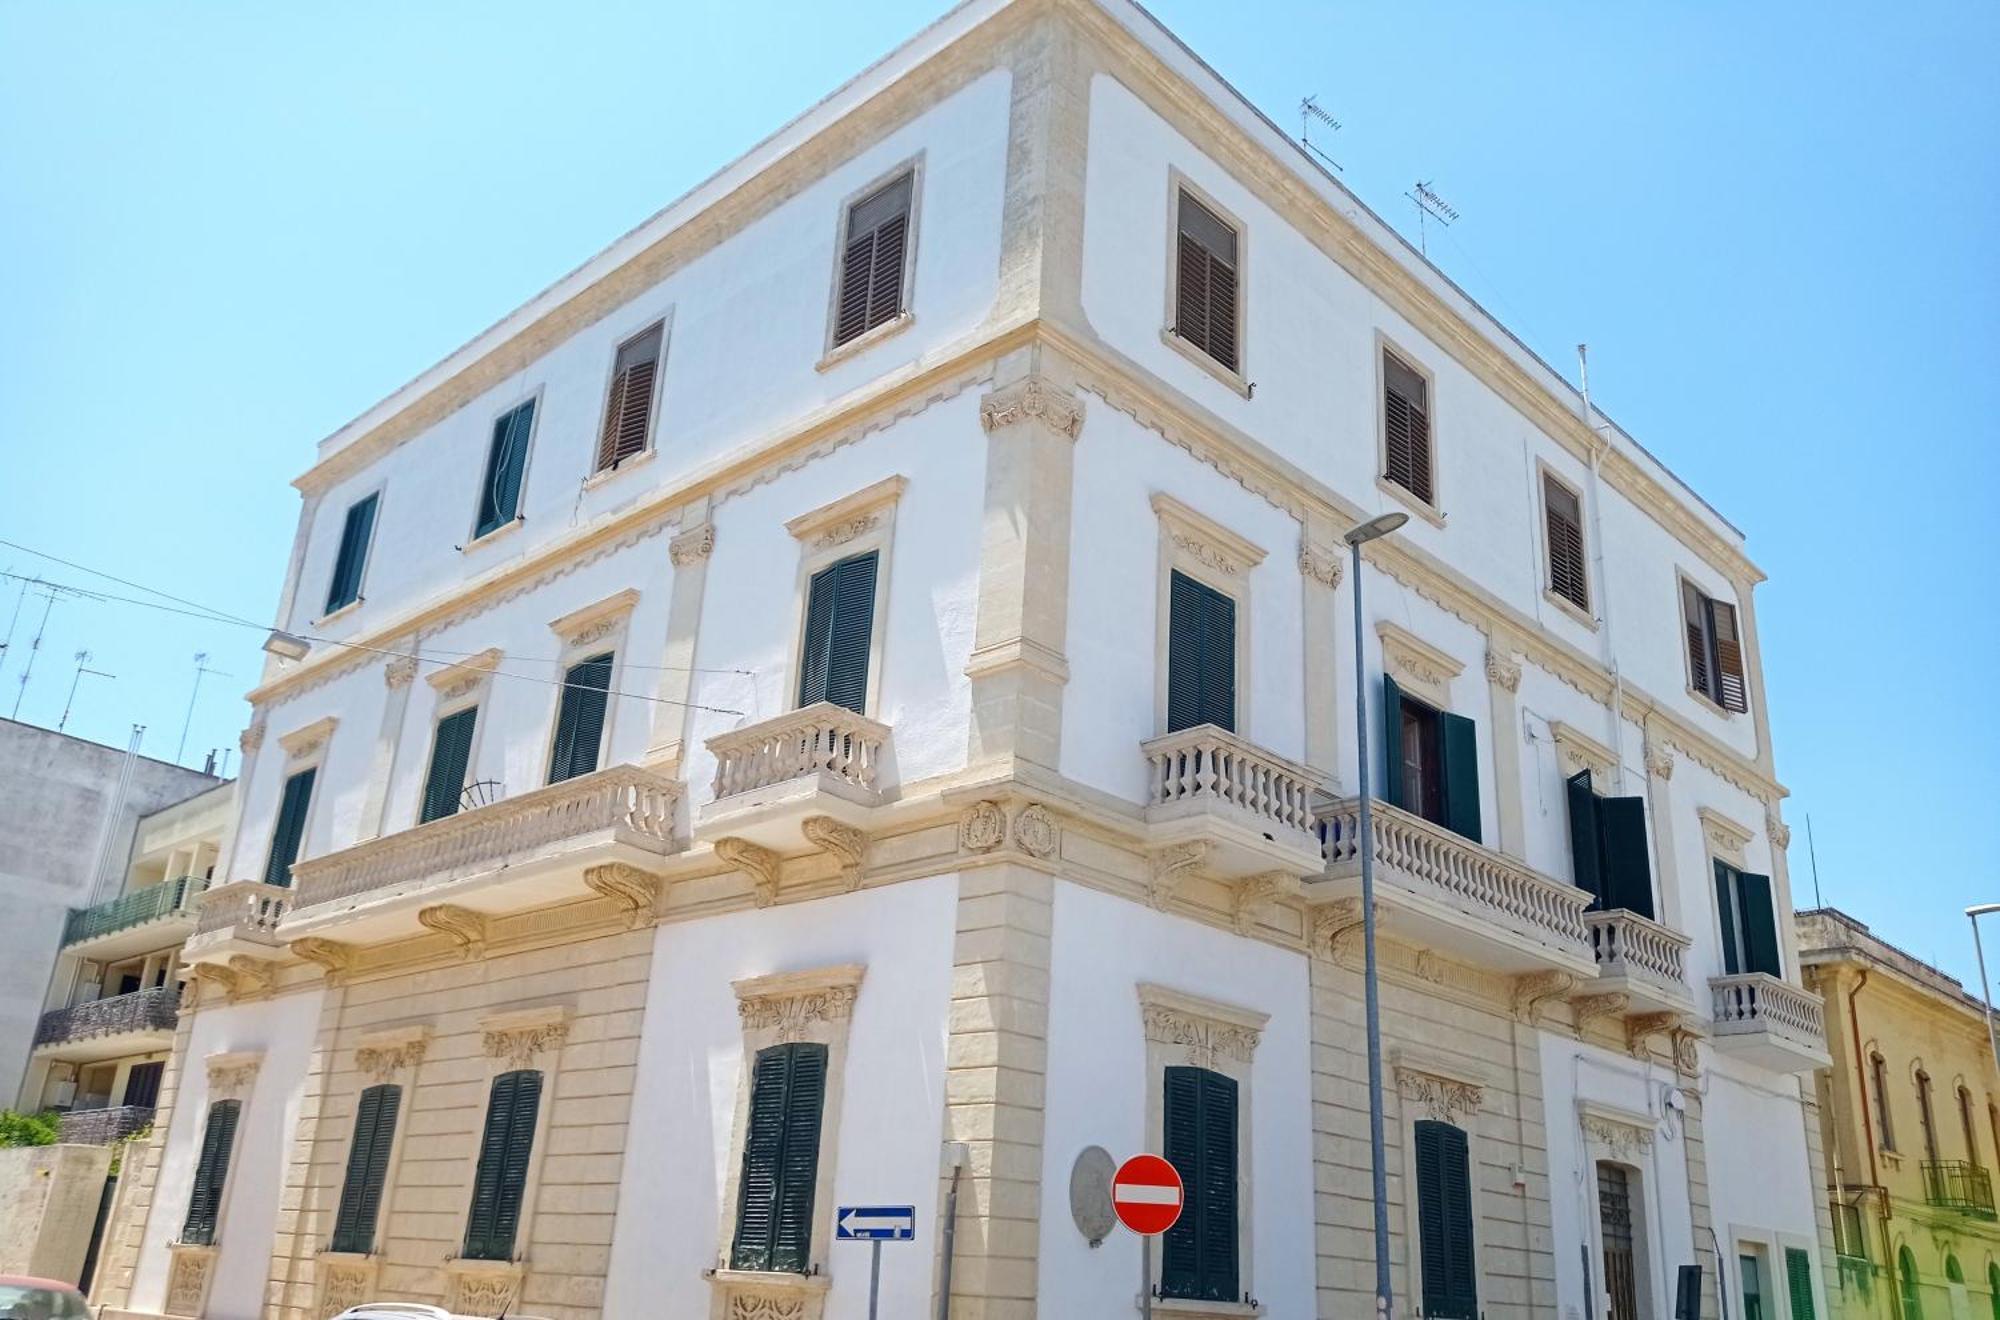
<point>59,855</point>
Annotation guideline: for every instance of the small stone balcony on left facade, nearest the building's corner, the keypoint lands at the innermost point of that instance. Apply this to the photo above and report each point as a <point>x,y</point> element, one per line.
<point>773,777</point>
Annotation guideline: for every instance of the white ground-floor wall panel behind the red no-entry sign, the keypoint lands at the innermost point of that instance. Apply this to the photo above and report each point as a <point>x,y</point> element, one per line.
<point>1097,1093</point>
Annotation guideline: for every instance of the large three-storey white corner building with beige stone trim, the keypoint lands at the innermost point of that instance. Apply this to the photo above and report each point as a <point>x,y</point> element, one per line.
<point>835,705</point>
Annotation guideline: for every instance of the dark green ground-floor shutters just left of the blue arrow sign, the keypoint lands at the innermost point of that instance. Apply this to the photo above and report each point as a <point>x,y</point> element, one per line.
<point>781,1161</point>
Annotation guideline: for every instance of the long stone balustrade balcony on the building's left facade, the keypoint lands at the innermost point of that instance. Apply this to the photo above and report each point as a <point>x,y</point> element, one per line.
<point>507,857</point>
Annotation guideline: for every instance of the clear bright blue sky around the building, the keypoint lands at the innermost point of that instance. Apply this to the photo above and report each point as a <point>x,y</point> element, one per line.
<point>229,229</point>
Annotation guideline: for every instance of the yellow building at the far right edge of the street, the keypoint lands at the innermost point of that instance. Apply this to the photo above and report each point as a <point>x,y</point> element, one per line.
<point>1911,1119</point>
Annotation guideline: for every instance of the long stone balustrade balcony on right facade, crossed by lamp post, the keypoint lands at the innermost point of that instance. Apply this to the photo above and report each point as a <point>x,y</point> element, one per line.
<point>1443,891</point>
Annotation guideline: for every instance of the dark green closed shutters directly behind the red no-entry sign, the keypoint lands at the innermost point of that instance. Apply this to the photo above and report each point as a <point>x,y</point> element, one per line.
<point>1199,1255</point>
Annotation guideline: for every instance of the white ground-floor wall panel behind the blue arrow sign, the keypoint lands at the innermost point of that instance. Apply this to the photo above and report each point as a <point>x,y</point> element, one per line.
<point>691,1067</point>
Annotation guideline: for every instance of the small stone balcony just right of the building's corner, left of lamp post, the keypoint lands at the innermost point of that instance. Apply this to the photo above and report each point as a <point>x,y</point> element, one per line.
<point>1249,809</point>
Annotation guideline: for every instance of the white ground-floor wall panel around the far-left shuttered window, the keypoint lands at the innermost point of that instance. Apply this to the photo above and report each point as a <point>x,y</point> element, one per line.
<point>285,1031</point>
